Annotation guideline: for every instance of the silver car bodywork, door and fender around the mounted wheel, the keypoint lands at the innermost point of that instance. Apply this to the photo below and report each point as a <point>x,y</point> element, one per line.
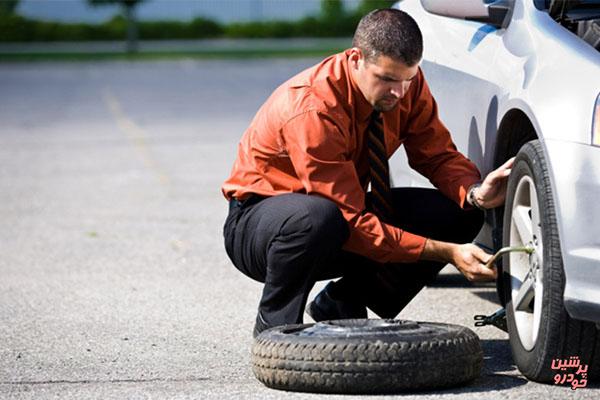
<point>479,74</point>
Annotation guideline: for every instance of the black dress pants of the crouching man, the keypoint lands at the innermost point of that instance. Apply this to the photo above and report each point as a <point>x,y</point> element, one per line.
<point>290,241</point>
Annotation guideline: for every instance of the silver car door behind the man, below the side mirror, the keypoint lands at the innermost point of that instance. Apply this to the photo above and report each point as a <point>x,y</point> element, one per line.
<point>458,63</point>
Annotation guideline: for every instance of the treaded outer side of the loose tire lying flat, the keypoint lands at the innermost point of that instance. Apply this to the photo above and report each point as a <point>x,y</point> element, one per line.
<point>366,365</point>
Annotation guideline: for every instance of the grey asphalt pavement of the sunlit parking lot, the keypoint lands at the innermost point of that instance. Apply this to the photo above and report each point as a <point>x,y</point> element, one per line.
<point>114,283</point>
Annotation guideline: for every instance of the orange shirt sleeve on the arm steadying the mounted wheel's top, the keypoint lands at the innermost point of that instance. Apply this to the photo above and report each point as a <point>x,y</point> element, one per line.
<point>432,153</point>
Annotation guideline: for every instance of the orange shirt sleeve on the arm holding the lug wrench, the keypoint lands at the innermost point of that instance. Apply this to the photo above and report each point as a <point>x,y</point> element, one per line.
<point>318,149</point>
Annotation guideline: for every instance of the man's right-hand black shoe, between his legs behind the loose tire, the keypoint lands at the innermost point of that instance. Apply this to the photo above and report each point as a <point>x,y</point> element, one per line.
<point>324,307</point>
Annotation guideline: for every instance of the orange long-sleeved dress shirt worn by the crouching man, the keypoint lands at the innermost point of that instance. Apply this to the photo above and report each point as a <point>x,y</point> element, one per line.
<point>310,137</point>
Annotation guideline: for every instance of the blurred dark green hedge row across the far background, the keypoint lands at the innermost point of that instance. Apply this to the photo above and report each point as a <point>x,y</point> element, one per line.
<point>333,20</point>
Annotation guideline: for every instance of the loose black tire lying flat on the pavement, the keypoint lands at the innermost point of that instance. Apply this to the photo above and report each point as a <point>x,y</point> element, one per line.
<point>366,356</point>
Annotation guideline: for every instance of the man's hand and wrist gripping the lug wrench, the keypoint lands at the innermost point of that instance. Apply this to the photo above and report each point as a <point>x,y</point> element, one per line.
<point>467,258</point>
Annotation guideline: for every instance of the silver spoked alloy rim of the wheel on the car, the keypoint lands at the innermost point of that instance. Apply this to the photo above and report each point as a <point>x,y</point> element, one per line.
<point>526,270</point>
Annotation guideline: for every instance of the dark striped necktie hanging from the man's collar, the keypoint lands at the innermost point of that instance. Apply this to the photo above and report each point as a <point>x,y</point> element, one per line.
<point>381,193</point>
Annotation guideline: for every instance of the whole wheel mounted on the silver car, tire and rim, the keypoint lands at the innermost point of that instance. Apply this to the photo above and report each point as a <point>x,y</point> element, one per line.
<point>539,327</point>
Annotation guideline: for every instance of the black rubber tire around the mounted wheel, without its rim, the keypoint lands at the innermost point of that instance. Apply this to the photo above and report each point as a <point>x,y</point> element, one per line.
<point>559,335</point>
